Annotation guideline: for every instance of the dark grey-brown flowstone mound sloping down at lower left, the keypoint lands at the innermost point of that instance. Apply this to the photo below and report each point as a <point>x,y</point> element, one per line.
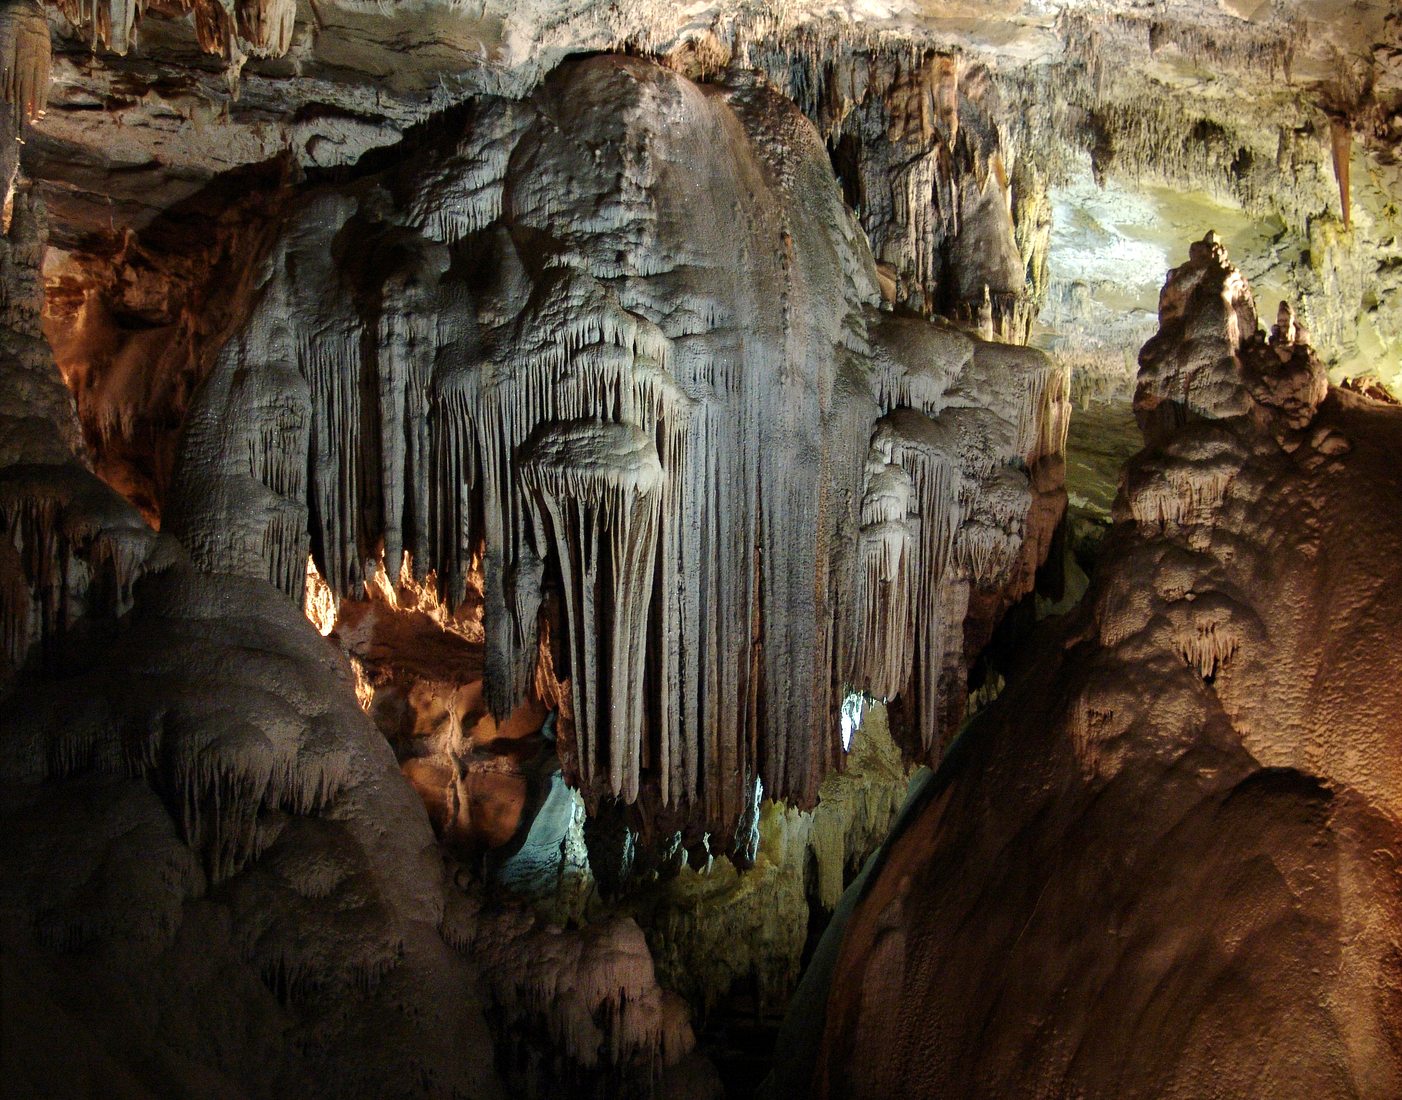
<point>215,871</point>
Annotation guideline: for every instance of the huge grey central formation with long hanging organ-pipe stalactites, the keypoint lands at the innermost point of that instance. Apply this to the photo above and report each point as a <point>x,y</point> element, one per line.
<point>648,390</point>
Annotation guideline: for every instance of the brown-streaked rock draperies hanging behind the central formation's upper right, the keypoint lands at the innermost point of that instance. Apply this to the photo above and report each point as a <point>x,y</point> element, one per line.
<point>922,160</point>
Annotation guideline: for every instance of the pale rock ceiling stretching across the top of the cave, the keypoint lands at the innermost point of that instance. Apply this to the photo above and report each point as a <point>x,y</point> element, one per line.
<point>130,134</point>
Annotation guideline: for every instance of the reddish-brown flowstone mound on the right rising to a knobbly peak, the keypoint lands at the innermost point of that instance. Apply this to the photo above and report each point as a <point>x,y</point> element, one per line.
<point>1164,864</point>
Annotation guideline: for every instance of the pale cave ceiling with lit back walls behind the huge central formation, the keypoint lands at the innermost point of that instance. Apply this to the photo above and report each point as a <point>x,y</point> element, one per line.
<point>1128,128</point>
